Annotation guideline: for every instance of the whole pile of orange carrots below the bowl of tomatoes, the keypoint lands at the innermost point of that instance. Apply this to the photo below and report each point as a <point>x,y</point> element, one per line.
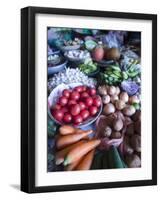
<point>74,148</point>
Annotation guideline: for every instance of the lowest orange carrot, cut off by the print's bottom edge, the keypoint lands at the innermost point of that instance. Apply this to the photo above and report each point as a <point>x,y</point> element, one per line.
<point>86,162</point>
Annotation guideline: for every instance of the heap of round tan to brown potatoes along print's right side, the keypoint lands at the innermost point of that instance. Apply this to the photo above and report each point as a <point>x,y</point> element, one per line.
<point>127,122</point>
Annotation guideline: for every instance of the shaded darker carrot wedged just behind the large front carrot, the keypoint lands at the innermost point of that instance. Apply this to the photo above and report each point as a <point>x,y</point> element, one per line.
<point>60,155</point>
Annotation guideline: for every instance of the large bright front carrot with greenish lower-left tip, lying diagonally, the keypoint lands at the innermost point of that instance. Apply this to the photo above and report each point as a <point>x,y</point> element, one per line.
<point>80,151</point>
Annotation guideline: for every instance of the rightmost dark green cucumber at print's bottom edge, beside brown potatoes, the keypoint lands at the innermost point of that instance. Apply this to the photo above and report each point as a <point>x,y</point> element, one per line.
<point>114,159</point>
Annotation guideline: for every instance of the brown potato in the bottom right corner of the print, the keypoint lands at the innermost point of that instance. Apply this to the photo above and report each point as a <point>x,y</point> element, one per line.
<point>133,161</point>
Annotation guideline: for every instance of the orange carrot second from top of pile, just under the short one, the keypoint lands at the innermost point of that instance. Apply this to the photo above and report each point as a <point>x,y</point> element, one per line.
<point>66,140</point>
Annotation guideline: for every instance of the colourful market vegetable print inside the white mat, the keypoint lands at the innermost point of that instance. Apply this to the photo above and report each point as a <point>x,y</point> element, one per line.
<point>94,99</point>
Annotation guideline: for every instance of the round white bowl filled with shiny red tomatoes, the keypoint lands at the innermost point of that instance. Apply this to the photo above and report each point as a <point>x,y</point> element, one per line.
<point>74,104</point>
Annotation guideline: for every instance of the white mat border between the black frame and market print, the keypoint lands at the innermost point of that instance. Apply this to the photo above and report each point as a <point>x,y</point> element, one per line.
<point>42,178</point>
